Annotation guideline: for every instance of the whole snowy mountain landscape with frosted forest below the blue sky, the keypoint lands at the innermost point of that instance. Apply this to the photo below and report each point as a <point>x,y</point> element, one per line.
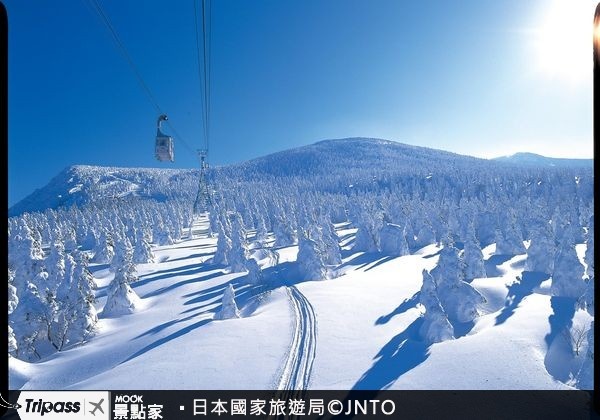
<point>346,264</point>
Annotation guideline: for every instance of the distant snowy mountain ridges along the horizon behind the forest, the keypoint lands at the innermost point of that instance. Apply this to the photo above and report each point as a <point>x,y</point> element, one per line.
<point>352,161</point>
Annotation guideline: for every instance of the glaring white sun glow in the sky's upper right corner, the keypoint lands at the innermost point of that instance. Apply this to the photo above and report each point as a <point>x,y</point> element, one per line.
<point>563,40</point>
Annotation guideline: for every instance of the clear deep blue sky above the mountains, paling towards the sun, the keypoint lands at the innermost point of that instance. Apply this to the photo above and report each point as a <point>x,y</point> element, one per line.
<point>469,76</point>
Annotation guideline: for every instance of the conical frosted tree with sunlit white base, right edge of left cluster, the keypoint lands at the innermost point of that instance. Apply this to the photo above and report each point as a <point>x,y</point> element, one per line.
<point>121,299</point>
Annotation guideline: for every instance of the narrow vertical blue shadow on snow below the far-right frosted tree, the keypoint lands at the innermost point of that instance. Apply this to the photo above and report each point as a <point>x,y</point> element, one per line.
<point>560,353</point>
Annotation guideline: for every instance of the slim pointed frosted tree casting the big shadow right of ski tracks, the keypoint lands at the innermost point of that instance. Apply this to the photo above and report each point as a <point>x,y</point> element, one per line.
<point>435,327</point>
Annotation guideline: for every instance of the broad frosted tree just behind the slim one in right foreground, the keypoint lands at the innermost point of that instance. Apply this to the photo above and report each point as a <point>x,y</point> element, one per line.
<point>459,299</point>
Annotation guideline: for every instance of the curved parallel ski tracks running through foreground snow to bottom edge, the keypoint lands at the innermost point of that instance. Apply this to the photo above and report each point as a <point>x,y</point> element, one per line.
<point>298,366</point>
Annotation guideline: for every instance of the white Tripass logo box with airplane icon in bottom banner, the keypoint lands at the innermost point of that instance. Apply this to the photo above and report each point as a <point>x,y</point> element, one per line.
<point>51,405</point>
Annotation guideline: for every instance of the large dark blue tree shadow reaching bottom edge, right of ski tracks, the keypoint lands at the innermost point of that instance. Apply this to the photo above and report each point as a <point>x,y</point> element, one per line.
<point>401,354</point>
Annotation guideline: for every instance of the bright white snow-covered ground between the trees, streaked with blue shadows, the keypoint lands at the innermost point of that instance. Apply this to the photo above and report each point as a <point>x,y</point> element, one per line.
<point>359,330</point>
